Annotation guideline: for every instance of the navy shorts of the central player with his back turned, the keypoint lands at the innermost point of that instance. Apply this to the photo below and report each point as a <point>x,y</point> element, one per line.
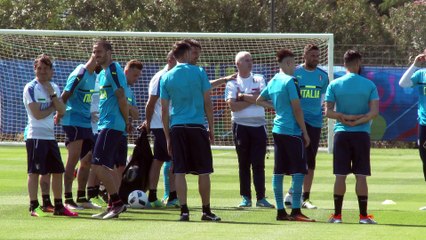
<point>191,149</point>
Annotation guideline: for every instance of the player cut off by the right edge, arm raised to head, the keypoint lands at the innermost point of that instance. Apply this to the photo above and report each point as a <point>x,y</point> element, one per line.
<point>415,77</point>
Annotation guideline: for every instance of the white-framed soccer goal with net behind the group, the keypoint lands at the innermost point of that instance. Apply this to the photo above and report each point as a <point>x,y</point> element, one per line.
<point>18,49</point>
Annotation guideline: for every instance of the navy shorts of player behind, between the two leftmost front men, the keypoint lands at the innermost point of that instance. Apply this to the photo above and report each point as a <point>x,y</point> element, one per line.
<point>74,133</point>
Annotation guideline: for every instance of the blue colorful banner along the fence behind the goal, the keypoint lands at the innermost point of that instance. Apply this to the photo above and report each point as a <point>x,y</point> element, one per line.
<point>398,106</point>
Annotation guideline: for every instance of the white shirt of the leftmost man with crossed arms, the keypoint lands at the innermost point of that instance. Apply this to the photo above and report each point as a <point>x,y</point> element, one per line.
<point>43,128</point>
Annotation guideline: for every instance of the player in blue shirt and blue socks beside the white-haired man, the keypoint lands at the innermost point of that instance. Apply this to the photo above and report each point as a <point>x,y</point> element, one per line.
<point>290,135</point>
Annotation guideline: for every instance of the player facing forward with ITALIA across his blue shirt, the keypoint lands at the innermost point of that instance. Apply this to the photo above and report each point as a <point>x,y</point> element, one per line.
<point>313,83</point>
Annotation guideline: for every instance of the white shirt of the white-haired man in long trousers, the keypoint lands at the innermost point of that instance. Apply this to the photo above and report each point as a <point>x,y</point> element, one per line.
<point>253,115</point>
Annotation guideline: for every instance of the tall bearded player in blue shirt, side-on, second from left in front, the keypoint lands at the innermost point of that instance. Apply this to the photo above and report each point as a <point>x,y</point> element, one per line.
<point>113,122</point>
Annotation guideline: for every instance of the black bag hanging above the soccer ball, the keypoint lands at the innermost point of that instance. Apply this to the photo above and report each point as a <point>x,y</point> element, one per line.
<point>136,173</point>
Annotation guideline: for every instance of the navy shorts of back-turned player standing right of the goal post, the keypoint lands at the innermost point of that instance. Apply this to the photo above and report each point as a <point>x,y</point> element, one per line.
<point>351,153</point>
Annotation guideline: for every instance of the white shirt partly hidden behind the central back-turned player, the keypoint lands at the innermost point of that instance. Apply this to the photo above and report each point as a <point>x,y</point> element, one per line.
<point>154,90</point>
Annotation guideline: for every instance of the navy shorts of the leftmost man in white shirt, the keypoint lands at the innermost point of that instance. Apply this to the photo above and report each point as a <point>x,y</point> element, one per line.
<point>43,157</point>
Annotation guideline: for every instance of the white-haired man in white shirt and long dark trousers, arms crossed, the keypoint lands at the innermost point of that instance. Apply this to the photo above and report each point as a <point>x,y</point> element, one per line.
<point>248,129</point>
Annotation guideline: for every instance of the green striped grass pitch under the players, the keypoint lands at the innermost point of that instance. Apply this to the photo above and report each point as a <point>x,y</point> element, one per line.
<point>397,176</point>
